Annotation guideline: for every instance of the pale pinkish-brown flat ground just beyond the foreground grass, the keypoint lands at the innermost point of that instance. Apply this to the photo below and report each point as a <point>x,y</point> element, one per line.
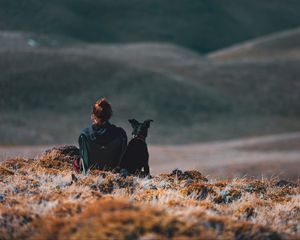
<point>260,157</point>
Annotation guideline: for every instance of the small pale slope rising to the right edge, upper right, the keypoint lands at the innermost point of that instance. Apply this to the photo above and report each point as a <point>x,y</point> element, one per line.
<point>283,45</point>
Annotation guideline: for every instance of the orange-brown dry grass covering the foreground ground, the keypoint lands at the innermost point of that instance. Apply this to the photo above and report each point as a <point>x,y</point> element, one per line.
<point>43,199</point>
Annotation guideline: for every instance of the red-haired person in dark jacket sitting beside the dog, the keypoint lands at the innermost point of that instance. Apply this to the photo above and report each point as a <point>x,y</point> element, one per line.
<point>102,144</point>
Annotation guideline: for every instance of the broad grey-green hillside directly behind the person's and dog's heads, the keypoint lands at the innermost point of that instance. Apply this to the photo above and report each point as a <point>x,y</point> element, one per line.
<point>47,92</point>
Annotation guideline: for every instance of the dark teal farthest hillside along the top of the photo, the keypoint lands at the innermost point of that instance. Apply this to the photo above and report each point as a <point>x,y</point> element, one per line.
<point>203,25</point>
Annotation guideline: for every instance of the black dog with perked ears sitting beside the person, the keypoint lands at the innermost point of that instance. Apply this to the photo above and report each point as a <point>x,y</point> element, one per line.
<point>136,156</point>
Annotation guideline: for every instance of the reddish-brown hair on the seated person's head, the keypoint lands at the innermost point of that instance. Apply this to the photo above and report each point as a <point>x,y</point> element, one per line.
<point>101,112</point>
